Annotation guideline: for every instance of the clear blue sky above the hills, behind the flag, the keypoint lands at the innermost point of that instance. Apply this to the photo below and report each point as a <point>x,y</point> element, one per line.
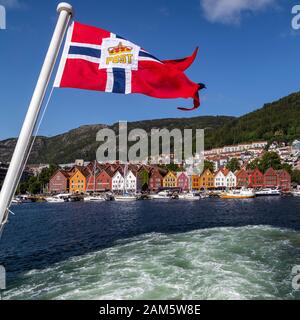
<point>249,55</point>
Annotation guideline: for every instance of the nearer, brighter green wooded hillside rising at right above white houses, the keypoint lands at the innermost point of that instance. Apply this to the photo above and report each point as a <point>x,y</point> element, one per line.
<point>279,120</point>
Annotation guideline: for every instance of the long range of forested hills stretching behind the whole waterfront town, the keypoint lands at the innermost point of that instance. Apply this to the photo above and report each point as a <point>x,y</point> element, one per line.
<point>279,120</point>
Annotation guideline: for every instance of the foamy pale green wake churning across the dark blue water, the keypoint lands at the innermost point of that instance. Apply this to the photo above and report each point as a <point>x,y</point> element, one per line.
<point>252,262</point>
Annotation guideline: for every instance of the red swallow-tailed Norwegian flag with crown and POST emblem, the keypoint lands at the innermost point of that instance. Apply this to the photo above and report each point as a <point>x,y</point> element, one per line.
<point>95,59</point>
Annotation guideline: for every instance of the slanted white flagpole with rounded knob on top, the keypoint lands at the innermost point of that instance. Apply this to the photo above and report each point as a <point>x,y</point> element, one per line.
<point>16,166</point>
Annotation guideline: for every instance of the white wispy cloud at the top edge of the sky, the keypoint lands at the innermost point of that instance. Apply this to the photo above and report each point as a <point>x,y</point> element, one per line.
<point>230,11</point>
